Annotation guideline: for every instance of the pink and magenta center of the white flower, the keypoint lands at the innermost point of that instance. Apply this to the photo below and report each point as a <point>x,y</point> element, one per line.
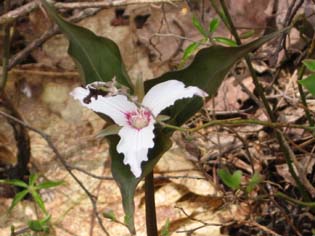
<point>139,119</point>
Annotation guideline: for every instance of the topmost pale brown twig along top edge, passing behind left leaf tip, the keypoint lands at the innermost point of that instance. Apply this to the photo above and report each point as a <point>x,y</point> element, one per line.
<point>29,7</point>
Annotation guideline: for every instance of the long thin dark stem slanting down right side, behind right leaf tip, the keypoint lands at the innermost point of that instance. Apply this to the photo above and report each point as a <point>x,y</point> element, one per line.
<point>285,148</point>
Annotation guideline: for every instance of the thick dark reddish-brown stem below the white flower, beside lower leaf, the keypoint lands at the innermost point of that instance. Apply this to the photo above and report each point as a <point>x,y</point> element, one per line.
<point>150,214</point>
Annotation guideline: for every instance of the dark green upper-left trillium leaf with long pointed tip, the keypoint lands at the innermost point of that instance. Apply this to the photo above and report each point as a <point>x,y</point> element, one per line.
<point>98,58</point>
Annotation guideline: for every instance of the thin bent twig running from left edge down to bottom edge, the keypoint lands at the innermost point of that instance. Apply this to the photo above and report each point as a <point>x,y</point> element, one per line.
<point>63,162</point>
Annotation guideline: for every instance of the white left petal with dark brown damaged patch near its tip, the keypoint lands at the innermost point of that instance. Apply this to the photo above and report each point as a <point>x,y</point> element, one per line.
<point>113,106</point>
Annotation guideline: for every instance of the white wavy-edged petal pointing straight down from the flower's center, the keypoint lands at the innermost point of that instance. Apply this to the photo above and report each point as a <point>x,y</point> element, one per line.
<point>135,144</point>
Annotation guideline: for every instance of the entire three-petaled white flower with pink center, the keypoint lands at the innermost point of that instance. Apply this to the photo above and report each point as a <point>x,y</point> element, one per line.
<point>137,122</point>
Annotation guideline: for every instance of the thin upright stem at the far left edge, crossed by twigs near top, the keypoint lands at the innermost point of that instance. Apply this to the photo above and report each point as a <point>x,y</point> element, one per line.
<point>6,49</point>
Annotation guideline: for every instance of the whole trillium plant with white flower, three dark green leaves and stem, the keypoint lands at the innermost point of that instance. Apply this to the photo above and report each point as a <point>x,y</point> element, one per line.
<point>140,142</point>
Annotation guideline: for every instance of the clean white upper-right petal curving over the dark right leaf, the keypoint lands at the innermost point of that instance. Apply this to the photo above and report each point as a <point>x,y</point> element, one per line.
<point>165,94</point>
